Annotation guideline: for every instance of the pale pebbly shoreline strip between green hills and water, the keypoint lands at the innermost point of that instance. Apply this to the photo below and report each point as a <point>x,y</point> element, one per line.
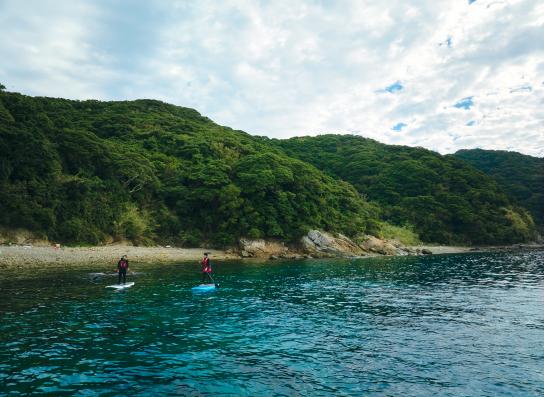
<point>28,256</point>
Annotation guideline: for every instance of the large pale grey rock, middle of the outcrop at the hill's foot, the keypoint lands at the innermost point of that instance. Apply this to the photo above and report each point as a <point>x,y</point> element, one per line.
<point>322,244</point>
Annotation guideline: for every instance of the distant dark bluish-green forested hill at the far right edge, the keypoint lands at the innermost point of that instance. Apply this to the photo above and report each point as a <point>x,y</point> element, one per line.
<point>519,175</point>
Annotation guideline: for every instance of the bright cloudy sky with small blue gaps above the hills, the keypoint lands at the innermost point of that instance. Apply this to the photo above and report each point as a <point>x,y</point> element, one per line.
<point>444,75</point>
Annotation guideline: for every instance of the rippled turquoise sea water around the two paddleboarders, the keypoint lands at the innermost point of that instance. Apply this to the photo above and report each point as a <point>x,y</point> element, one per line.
<point>453,325</point>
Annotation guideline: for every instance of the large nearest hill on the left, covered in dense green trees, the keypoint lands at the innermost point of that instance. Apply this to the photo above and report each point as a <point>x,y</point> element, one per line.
<point>90,171</point>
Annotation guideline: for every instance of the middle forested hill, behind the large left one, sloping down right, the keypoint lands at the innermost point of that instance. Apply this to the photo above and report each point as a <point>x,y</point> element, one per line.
<point>445,199</point>
